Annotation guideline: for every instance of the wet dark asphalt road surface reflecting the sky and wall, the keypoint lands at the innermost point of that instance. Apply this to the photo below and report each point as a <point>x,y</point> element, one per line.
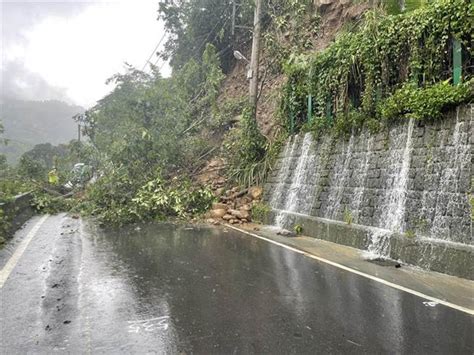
<point>168,289</point>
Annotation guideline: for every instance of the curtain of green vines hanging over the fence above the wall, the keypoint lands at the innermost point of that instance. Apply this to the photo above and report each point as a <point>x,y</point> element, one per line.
<point>360,69</point>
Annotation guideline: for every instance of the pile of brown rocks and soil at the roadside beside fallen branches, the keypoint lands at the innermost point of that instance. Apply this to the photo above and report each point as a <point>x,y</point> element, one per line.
<point>234,206</point>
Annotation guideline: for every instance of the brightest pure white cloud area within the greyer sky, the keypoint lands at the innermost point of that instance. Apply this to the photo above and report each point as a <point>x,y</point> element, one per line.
<point>80,52</point>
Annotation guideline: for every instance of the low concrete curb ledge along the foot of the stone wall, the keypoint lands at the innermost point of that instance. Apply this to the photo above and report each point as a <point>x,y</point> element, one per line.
<point>437,255</point>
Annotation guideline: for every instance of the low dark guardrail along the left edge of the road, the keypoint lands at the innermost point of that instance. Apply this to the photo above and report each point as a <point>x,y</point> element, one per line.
<point>15,213</point>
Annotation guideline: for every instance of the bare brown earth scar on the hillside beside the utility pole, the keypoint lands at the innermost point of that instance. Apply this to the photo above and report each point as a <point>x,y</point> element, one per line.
<point>292,28</point>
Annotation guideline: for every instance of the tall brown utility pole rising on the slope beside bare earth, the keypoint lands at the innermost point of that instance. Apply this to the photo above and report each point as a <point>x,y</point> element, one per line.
<point>254,60</point>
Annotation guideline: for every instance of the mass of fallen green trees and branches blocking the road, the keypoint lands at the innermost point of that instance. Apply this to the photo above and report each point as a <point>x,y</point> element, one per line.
<point>150,124</point>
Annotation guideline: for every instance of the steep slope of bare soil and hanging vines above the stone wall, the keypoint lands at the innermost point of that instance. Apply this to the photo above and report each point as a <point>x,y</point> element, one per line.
<point>359,68</point>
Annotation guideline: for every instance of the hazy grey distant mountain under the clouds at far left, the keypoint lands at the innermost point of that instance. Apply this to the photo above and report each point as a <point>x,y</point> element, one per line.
<point>28,123</point>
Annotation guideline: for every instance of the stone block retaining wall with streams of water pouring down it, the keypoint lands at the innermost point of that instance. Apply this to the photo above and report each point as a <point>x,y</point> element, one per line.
<point>412,178</point>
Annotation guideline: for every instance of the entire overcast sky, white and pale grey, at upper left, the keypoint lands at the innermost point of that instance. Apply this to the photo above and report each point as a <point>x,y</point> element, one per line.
<point>67,49</point>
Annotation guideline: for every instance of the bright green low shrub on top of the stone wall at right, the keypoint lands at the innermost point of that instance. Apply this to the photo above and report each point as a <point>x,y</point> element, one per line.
<point>425,103</point>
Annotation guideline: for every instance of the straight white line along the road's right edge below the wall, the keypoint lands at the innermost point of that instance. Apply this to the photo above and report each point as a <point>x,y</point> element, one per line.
<point>368,276</point>
